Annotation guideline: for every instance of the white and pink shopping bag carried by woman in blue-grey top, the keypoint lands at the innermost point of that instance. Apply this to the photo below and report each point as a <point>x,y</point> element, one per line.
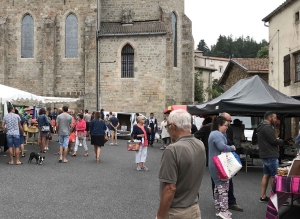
<point>227,165</point>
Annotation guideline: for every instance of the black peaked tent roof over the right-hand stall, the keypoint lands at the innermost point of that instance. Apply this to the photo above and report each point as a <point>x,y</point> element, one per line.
<point>252,97</point>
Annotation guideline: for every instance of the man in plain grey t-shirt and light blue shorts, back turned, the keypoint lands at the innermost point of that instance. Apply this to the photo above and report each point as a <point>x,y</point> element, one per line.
<point>63,125</point>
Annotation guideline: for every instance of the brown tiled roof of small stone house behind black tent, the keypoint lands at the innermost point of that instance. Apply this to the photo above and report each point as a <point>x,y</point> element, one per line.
<point>252,64</point>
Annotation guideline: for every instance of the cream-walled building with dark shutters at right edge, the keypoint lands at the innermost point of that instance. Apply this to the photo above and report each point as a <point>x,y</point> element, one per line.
<point>284,47</point>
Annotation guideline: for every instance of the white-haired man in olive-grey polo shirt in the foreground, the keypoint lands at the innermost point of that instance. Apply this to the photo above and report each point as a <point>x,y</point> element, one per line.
<point>179,188</point>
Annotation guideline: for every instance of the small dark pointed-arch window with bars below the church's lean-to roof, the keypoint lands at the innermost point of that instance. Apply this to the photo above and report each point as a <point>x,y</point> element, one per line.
<point>127,61</point>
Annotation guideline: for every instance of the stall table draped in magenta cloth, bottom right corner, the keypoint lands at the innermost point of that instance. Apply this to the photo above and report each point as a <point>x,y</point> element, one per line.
<point>284,187</point>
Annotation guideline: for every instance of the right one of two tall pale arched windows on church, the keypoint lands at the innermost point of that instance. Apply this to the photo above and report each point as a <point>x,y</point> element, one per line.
<point>71,36</point>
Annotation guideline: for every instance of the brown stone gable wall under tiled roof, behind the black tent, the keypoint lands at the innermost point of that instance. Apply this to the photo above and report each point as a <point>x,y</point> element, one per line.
<point>236,74</point>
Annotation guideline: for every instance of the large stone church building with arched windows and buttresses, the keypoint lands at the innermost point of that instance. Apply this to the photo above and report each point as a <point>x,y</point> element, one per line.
<point>145,52</point>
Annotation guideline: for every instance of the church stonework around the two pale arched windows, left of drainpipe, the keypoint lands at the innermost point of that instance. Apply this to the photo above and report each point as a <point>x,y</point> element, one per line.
<point>49,72</point>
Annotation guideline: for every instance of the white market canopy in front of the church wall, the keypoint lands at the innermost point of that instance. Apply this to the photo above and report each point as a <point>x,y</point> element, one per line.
<point>9,94</point>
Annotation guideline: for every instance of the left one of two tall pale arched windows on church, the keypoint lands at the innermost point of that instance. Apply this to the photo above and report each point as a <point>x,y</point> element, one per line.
<point>27,37</point>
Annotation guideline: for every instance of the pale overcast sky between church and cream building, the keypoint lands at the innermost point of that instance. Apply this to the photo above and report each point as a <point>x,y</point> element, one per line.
<point>211,18</point>
